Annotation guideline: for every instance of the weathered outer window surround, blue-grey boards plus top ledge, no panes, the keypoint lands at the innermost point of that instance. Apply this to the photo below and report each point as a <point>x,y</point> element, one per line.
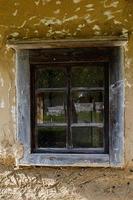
<point>116,104</point>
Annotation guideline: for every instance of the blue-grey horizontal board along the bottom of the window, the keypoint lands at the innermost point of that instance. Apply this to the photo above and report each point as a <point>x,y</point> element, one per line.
<point>75,160</point>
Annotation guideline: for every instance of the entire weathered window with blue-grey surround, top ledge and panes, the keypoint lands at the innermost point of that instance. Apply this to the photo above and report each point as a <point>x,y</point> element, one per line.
<point>70,103</point>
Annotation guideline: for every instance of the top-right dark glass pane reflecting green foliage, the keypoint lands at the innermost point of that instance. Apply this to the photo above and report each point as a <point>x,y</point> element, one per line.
<point>92,76</point>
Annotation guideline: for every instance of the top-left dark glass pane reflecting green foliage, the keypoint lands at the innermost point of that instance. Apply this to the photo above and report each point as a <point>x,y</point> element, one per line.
<point>50,78</point>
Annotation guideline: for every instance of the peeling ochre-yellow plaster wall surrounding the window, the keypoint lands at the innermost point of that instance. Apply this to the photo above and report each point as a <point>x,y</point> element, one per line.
<point>54,19</point>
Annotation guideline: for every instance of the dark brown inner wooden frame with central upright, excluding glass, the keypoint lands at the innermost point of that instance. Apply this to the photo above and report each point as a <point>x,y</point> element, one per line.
<point>70,62</point>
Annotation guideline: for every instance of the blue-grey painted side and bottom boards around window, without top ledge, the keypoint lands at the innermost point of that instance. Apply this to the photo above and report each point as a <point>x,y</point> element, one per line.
<point>116,147</point>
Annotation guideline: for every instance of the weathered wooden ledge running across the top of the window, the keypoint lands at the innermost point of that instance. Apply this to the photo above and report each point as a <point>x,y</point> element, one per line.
<point>67,43</point>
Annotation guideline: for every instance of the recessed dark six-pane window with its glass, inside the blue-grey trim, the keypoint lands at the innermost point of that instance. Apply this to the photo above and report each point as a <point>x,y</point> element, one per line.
<point>69,103</point>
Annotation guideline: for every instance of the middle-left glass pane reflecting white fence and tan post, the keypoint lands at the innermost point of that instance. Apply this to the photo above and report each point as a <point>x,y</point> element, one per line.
<point>51,107</point>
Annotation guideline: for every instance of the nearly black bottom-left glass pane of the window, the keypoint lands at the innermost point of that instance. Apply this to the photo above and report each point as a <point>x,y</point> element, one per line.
<point>51,137</point>
